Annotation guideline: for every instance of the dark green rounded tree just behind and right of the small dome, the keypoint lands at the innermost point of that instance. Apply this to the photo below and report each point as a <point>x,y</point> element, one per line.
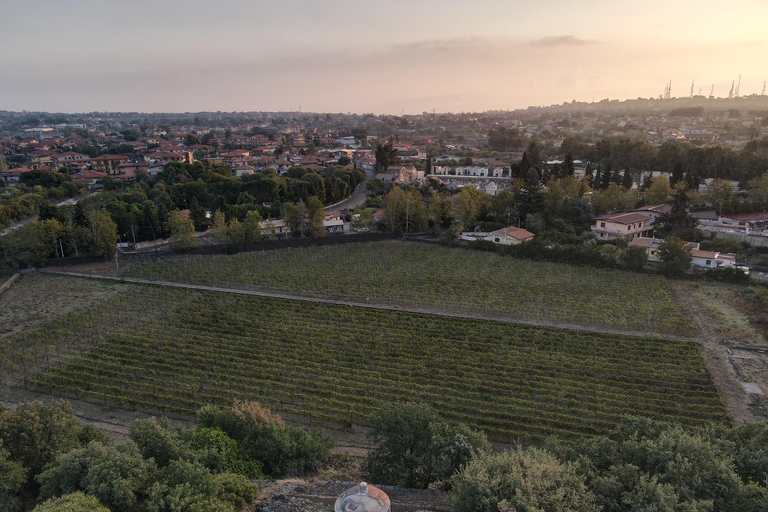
<point>416,448</point>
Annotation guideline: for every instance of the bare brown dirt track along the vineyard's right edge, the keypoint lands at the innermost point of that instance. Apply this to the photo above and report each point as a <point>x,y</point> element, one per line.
<point>715,353</point>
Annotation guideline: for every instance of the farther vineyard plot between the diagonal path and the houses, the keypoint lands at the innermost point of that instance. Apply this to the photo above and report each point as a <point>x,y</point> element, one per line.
<point>430,277</point>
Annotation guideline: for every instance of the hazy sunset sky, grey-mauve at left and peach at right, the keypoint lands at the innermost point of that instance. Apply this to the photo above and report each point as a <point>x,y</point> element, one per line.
<point>393,56</point>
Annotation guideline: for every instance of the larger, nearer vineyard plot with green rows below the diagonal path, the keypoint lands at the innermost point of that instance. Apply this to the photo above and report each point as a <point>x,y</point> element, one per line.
<point>167,350</point>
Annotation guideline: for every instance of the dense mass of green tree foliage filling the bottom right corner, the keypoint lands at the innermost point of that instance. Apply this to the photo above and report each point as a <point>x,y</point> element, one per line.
<point>645,463</point>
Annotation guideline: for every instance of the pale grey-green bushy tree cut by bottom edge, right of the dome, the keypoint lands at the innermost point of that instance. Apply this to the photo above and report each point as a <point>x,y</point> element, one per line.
<point>531,480</point>
